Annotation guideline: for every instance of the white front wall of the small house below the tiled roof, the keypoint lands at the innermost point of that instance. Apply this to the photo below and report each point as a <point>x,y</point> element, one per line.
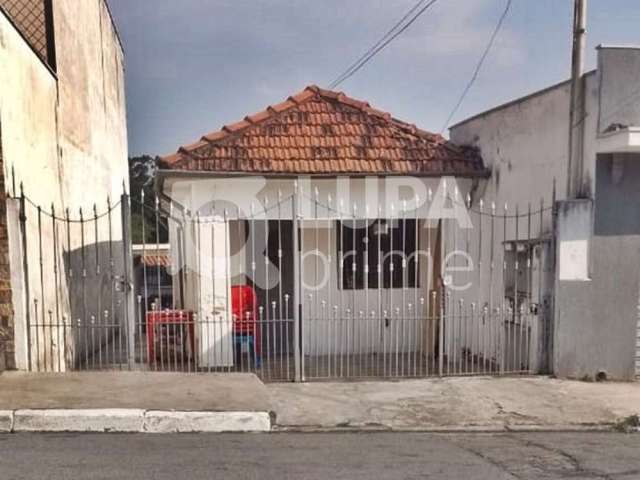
<point>200,194</point>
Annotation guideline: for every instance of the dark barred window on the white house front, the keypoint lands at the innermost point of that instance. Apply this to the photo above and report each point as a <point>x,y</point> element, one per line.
<point>365,245</point>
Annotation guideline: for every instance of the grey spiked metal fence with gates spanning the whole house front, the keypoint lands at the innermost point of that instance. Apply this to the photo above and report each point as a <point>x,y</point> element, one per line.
<point>297,288</point>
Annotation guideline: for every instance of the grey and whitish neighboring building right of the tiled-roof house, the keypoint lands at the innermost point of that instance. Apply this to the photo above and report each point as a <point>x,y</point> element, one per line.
<point>596,274</point>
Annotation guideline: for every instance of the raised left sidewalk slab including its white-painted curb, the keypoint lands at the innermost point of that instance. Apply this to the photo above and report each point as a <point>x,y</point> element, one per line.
<point>133,402</point>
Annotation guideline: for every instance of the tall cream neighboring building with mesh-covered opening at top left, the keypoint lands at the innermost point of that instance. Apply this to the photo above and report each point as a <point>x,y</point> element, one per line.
<point>63,137</point>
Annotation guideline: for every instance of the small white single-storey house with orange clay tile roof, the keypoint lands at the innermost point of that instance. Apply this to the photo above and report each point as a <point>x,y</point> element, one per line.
<point>318,204</point>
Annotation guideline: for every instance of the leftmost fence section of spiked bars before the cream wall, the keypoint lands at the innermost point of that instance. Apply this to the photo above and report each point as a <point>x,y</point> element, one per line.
<point>75,282</point>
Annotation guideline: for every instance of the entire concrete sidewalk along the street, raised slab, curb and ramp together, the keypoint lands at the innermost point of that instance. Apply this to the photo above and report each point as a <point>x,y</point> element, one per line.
<point>173,402</point>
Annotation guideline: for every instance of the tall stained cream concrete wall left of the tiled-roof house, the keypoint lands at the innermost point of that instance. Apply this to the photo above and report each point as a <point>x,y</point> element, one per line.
<point>65,138</point>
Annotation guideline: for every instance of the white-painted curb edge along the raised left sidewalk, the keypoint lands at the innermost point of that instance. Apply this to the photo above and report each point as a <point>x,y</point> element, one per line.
<point>131,420</point>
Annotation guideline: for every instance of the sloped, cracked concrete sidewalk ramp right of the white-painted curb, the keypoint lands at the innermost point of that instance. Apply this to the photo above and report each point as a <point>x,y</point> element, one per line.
<point>455,404</point>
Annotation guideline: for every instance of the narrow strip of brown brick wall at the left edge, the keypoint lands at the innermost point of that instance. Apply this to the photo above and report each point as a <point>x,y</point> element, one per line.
<point>7,357</point>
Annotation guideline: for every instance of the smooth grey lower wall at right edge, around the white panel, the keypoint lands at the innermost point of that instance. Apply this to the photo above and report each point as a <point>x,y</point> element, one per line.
<point>596,319</point>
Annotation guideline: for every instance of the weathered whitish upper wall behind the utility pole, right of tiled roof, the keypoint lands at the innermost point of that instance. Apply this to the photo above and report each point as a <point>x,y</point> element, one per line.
<point>525,143</point>
